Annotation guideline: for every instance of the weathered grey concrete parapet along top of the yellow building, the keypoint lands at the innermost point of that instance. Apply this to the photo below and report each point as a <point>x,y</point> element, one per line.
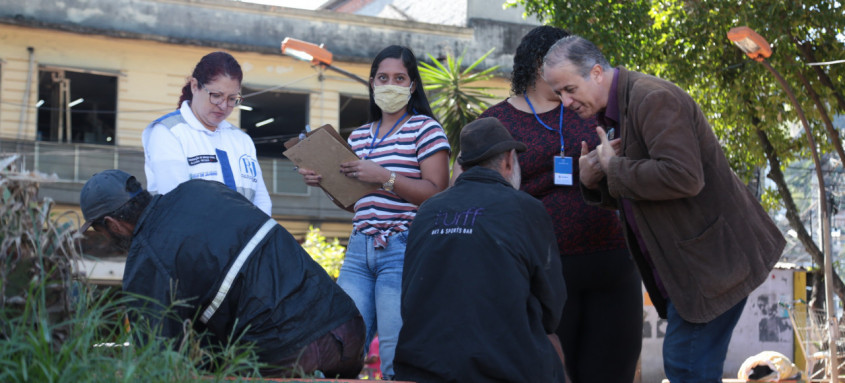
<point>261,28</point>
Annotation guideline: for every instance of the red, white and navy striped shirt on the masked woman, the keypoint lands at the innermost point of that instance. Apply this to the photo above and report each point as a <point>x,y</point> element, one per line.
<point>382,213</point>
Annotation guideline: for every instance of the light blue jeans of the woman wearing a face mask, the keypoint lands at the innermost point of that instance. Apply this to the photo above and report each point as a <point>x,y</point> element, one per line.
<point>373,278</point>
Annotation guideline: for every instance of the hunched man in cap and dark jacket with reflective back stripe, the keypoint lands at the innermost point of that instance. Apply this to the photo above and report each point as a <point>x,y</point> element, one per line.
<point>241,274</point>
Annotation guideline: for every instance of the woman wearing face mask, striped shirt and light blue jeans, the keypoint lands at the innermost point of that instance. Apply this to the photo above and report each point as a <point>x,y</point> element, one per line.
<point>404,150</point>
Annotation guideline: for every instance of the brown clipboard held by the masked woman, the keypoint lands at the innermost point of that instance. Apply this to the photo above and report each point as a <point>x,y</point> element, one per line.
<point>323,150</point>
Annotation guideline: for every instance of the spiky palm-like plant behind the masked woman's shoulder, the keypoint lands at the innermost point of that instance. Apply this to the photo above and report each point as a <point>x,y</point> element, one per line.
<point>455,102</point>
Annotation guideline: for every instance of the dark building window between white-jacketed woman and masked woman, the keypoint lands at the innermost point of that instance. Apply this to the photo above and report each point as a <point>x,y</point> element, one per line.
<point>271,118</point>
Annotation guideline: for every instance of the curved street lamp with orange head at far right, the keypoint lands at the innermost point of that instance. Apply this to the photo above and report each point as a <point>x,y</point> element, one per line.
<point>758,49</point>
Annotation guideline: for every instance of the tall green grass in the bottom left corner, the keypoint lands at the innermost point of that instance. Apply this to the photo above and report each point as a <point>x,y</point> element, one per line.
<point>95,345</point>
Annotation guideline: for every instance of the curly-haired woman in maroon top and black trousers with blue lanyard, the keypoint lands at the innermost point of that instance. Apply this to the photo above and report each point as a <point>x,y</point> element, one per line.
<point>603,310</point>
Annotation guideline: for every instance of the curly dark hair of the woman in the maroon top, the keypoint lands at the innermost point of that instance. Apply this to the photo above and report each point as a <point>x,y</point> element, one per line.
<point>529,56</point>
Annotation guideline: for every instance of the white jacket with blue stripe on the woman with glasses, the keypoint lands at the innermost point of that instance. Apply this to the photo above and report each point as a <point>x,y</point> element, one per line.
<point>177,148</point>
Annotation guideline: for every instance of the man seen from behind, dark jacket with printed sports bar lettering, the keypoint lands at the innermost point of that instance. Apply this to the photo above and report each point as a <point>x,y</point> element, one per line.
<point>482,286</point>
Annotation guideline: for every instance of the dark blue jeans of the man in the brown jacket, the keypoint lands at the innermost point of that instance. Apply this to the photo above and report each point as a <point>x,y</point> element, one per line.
<point>696,352</point>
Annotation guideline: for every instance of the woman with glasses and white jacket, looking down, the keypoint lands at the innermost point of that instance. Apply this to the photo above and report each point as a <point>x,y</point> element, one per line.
<point>195,141</point>
